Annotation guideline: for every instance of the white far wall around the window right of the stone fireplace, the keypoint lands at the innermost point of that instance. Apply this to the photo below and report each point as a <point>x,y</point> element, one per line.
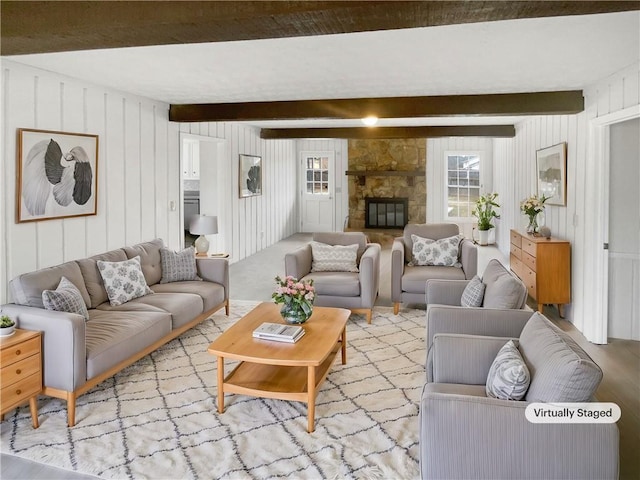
<point>436,174</point>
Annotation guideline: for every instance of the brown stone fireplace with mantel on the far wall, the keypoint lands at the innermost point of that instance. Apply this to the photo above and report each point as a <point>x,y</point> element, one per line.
<point>389,169</point>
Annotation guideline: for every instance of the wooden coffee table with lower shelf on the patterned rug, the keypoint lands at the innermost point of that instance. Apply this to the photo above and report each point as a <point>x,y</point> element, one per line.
<point>286,371</point>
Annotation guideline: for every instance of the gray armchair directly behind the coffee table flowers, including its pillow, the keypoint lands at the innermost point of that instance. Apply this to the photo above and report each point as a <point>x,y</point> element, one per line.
<point>339,284</point>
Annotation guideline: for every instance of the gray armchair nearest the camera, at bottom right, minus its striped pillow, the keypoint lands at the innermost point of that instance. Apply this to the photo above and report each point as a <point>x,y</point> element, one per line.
<point>465,434</point>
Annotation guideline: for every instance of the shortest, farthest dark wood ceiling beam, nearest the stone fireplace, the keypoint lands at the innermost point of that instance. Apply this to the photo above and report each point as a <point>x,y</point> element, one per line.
<point>494,131</point>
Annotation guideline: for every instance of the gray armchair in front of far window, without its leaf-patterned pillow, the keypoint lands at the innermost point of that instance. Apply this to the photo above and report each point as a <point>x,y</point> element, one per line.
<point>408,281</point>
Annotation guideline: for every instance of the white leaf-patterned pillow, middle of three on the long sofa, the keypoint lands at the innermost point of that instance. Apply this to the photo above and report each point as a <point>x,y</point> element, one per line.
<point>124,280</point>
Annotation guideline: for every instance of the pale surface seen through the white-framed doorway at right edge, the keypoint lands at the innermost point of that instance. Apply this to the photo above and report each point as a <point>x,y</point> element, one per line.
<point>624,231</point>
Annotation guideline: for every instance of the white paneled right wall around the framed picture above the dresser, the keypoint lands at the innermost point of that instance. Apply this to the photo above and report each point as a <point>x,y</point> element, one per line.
<point>514,178</point>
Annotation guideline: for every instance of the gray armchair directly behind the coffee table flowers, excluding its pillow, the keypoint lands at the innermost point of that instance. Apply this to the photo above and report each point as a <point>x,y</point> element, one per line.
<point>356,291</point>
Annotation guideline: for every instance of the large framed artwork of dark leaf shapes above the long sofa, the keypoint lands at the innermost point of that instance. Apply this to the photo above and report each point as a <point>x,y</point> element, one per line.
<point>57,175</point>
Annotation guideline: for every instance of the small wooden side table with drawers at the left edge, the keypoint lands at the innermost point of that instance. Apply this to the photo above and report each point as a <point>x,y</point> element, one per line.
<point>21,371</point>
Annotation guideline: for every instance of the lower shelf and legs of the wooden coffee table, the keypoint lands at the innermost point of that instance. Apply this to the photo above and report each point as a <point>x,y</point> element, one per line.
<point>283,382</point>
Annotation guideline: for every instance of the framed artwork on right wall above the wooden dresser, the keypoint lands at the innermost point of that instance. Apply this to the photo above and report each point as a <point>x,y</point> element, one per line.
<point>551,169</point>
